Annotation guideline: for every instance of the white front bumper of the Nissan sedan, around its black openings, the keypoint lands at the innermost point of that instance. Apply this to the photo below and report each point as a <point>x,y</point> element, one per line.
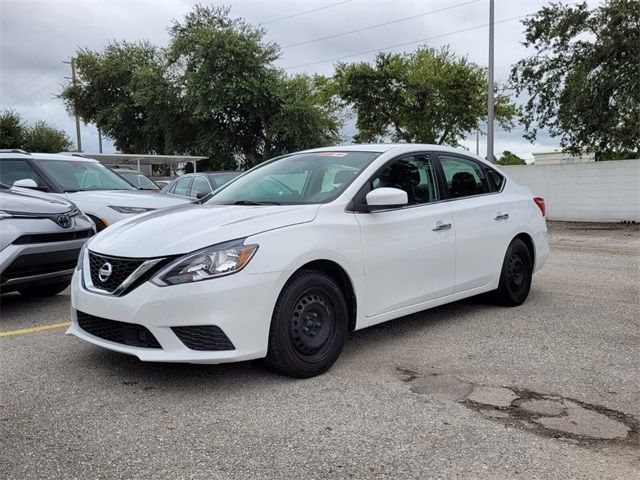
<point>240,305</point>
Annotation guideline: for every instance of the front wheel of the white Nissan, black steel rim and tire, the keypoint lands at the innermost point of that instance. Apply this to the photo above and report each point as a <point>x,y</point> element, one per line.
<point>305,350</point>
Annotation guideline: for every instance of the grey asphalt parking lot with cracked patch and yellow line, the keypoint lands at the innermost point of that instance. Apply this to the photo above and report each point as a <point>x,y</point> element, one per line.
<point>550,389</point>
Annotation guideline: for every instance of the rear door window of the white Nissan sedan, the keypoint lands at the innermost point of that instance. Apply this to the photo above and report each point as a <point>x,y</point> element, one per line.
<point>464,177</point>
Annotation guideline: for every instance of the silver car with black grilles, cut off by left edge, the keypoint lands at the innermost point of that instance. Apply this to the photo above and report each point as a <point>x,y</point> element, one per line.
<point>40,239</point>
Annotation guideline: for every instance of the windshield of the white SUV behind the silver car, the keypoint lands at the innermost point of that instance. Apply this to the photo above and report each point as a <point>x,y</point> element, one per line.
<point>77,175</point>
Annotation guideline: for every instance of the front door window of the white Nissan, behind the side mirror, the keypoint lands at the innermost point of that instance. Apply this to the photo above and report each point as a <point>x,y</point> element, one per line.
<point>413,174</point>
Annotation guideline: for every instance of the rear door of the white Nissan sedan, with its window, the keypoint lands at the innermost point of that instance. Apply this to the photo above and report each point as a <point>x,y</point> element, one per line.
<point>480,217</point>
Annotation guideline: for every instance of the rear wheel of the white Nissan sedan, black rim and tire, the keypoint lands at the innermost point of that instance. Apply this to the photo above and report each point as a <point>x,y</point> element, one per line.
<point>515,276</point>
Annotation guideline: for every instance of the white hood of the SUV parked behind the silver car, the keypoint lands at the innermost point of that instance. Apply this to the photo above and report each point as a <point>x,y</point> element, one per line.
<point>127,198</point>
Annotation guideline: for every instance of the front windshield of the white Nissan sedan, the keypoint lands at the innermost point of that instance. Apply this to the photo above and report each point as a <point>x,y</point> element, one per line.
<point>303,178</point>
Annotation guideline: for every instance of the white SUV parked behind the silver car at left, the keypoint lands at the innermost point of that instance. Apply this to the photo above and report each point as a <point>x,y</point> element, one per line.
<point>101,194</point>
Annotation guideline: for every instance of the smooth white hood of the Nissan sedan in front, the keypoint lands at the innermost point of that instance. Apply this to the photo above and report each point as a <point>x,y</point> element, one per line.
<point>187,228</point>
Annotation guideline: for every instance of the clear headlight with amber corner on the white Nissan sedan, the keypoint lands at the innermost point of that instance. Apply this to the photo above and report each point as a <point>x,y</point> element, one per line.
<point>211,262</point>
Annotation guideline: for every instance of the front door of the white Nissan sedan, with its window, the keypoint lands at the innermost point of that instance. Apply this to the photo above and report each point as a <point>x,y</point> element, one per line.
<point>409,252</point>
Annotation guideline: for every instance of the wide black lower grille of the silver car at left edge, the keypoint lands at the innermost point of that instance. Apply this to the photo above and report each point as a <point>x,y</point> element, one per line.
<point>41,263</point>
